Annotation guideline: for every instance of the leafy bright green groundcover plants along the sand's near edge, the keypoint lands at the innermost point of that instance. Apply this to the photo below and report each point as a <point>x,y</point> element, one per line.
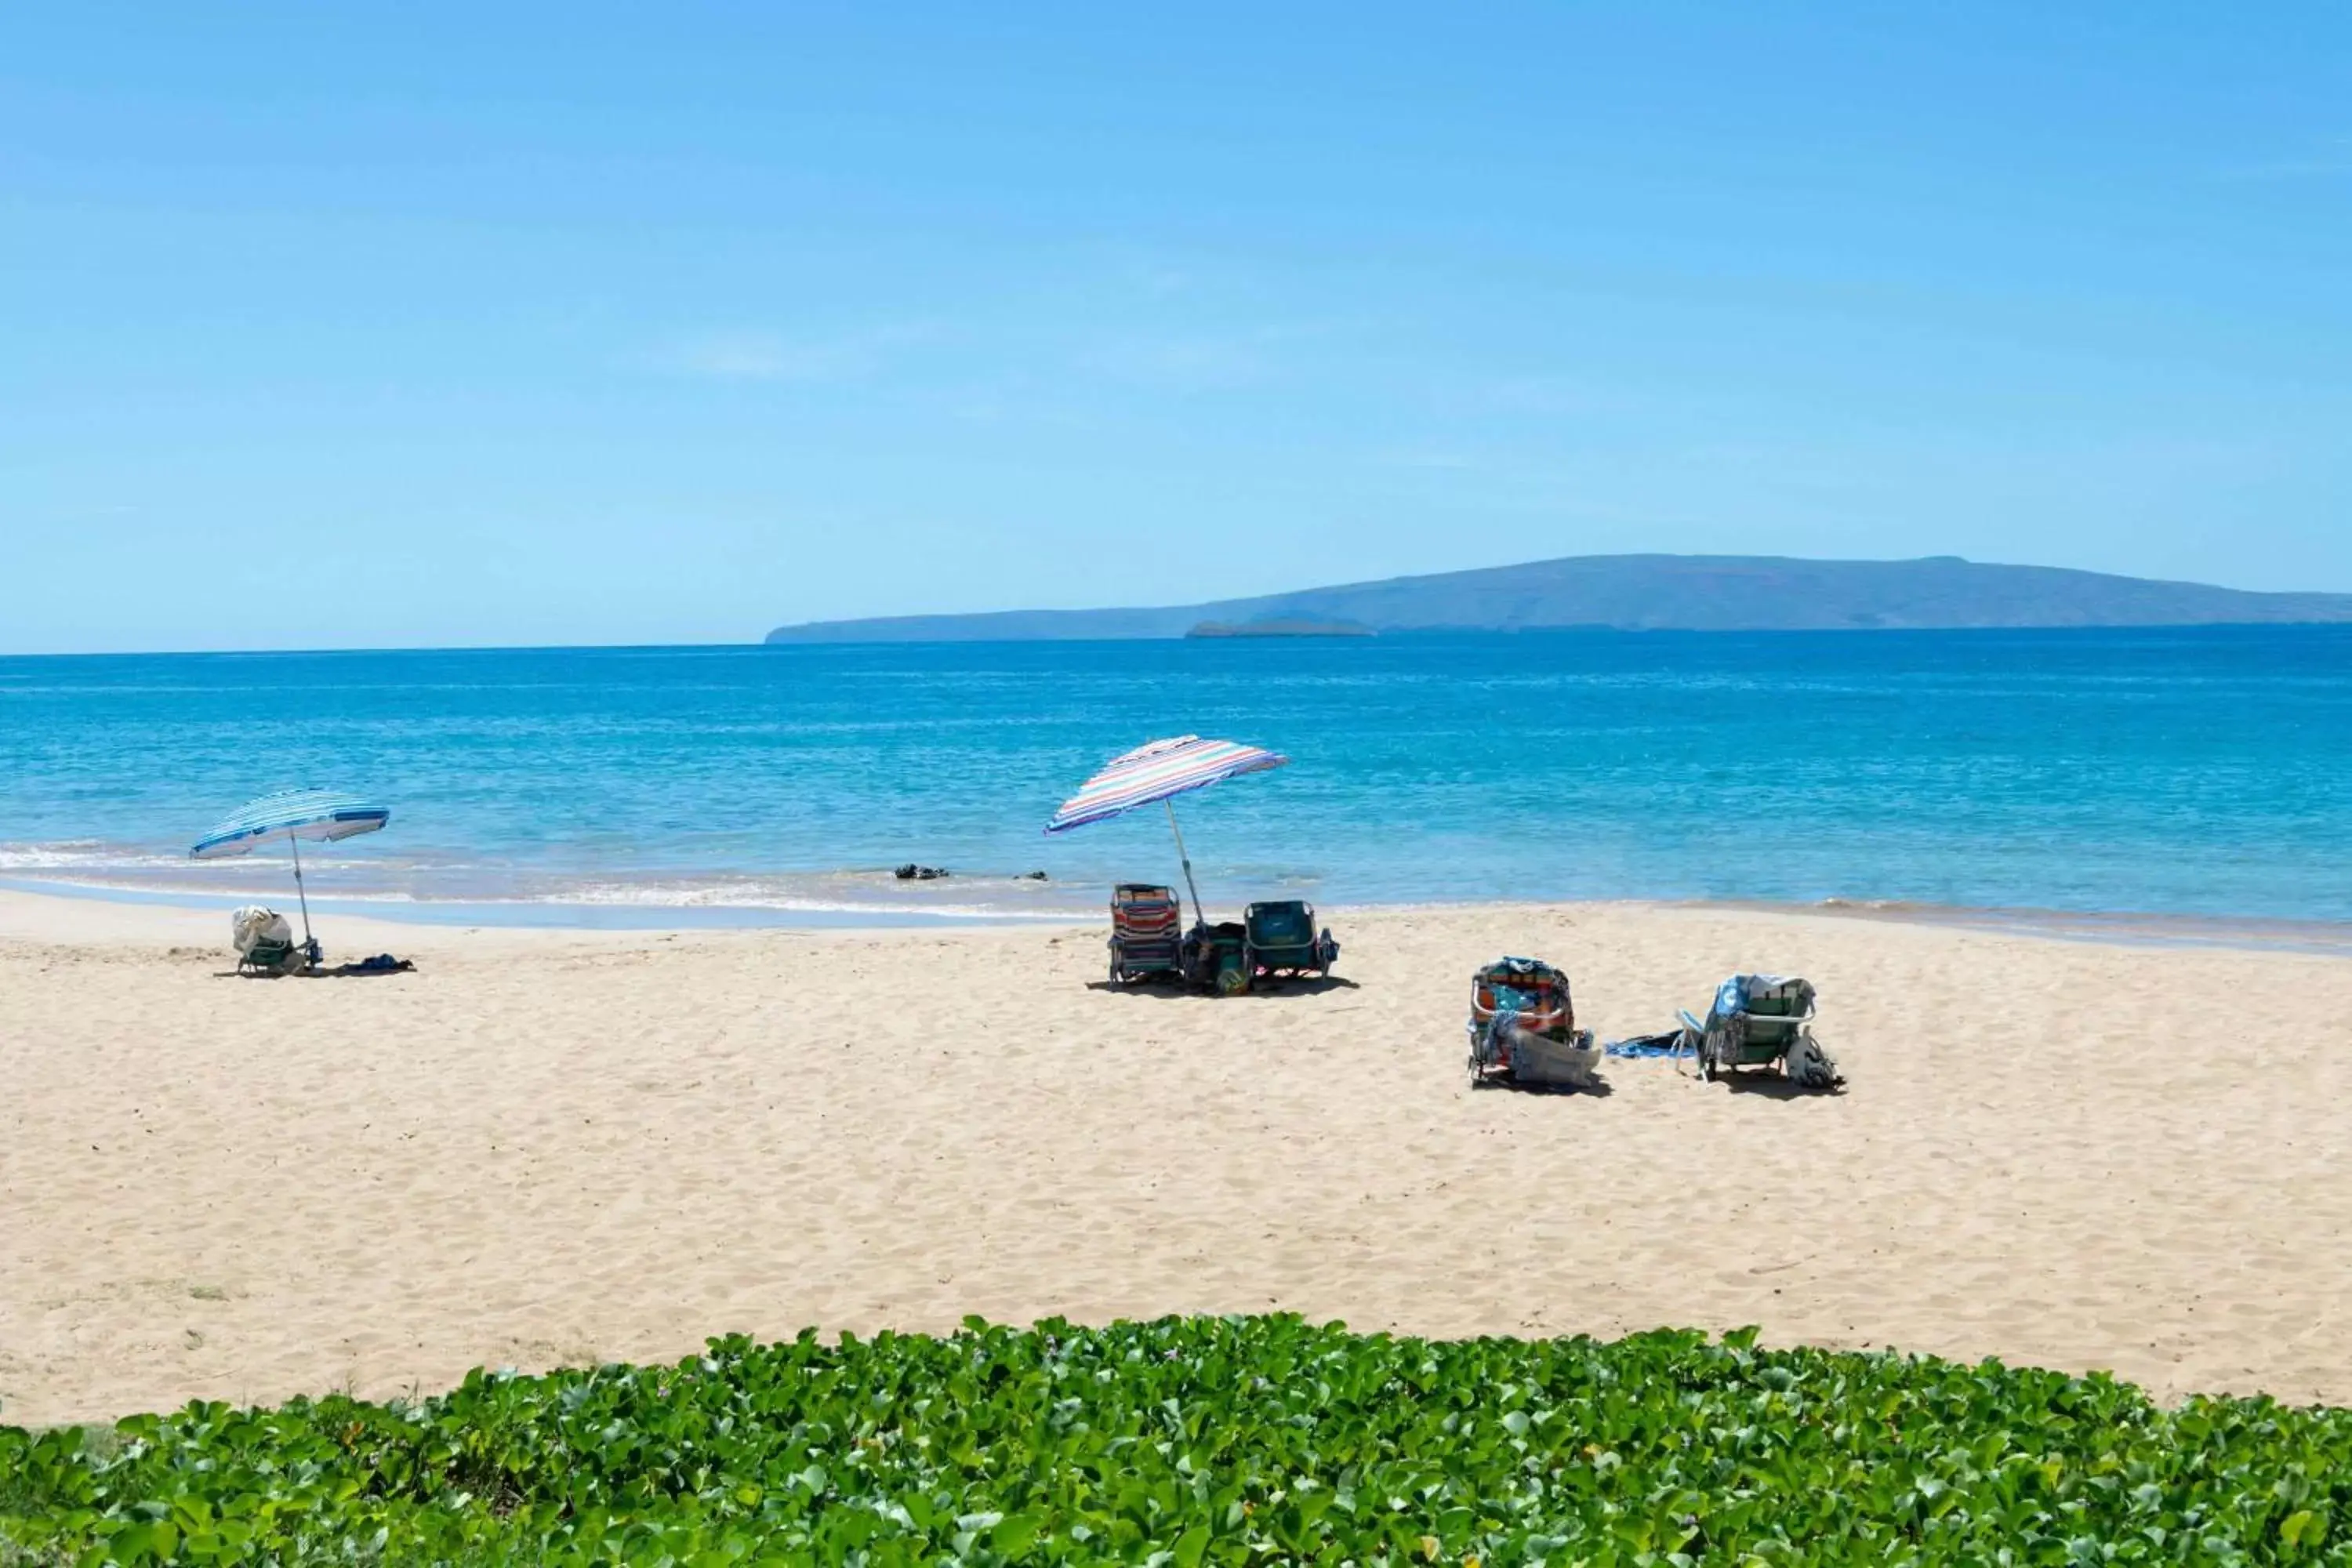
<point>1194,1442</point>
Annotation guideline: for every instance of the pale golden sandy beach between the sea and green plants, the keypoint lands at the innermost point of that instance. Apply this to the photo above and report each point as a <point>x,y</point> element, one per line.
<point>552,1148</point>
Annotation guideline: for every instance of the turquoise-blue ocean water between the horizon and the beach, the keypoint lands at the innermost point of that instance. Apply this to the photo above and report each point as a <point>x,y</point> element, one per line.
<point>2179,775</point>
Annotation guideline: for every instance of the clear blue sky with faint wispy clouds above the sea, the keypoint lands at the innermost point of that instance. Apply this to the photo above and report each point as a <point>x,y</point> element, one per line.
<point>575,323</point>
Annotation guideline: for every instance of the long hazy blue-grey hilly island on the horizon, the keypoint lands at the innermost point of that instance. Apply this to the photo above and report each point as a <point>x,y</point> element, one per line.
<point>1737,594</point>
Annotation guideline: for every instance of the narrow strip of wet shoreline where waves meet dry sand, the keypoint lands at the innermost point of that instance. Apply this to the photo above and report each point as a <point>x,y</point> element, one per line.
<point>2118,927</point>
